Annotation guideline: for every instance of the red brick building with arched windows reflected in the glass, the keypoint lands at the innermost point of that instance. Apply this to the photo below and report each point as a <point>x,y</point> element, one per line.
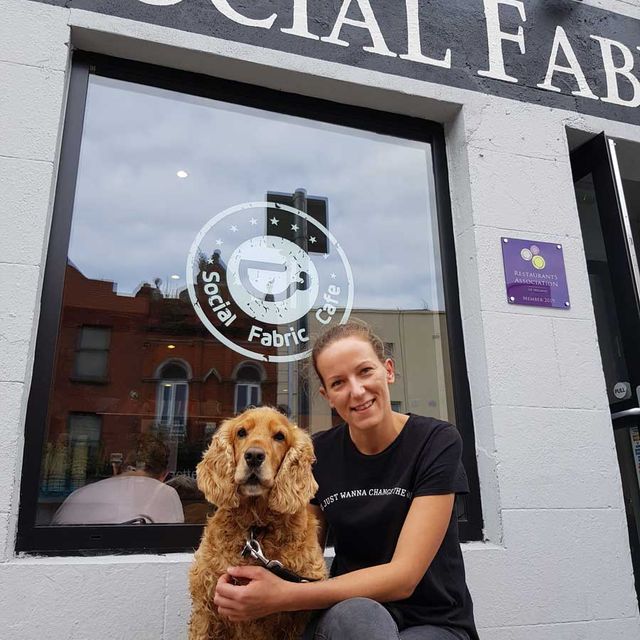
<point>129,364</point>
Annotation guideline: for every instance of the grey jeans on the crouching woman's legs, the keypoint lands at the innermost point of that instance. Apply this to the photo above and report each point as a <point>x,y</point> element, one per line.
<point>364,619</point>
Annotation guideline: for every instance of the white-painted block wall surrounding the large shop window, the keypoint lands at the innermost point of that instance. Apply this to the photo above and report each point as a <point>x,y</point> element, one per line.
<point>555,562</point>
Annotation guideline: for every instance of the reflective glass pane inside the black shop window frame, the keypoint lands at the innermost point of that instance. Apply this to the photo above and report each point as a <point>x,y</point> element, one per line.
<point>134,360</point>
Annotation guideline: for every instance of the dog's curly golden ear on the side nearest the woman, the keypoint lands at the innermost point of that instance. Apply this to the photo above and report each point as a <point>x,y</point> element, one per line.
<point>294,485</point>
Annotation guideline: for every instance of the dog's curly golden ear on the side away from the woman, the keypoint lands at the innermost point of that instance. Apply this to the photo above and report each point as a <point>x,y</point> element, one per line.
<point>215,471</point>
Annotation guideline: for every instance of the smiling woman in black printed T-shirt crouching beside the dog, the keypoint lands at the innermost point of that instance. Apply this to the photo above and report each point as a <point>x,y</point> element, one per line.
<point>387,488</point>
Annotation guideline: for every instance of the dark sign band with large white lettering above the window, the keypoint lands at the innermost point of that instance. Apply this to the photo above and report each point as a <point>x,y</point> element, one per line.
<point>564,54</point>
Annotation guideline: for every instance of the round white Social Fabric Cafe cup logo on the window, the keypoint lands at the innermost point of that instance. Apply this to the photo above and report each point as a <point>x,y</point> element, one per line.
<point>259,273</point>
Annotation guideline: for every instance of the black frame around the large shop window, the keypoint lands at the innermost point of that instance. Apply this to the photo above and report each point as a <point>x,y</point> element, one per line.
<point>83,540</point>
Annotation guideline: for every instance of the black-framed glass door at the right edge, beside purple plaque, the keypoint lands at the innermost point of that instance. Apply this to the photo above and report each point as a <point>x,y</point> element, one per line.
<point>610,220</point>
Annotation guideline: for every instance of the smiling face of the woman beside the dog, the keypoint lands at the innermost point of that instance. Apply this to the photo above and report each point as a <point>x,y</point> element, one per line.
<point>356,382</point>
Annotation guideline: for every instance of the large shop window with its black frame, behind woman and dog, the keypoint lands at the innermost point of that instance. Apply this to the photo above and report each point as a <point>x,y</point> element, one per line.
<point>291,215</point>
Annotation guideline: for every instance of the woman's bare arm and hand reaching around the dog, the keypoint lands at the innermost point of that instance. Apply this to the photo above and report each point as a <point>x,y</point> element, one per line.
<point>420,538</point>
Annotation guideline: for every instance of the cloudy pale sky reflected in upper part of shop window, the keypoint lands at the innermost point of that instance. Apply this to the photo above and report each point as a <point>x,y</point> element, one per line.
<point>135,219</point>
